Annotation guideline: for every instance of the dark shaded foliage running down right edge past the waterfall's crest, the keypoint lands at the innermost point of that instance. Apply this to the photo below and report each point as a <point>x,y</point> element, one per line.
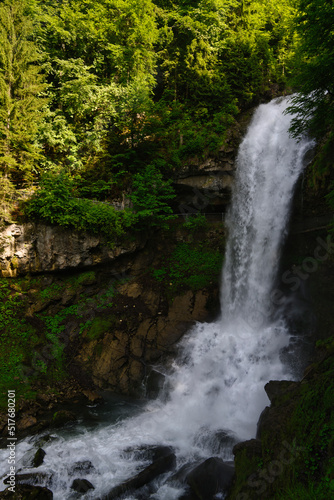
<point>313,106</point>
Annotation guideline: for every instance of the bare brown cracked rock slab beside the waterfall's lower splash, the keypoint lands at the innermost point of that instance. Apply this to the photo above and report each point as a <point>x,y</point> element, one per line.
<point>121,359</point>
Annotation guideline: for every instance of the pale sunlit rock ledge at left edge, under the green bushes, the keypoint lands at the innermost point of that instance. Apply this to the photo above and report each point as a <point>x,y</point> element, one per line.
<point>34,248</point>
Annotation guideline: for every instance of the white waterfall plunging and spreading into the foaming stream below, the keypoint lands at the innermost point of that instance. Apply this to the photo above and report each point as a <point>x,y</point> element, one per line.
<point>216,386</point>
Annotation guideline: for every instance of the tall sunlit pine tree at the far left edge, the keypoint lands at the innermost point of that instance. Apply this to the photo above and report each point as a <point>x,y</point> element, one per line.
<point>20,85</point>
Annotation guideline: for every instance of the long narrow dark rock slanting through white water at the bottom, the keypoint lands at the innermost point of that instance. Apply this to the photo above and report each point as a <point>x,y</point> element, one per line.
<point>163,464</point>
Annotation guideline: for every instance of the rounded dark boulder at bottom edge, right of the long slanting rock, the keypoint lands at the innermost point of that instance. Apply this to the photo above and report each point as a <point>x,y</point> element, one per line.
<point>210,477</point>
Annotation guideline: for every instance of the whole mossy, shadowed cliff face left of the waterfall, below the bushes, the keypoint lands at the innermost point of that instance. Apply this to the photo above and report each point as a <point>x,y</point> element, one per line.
<point>78,310</point>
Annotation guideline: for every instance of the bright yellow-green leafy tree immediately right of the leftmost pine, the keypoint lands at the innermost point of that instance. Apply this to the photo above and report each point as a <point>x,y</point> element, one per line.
<point>101,69</point>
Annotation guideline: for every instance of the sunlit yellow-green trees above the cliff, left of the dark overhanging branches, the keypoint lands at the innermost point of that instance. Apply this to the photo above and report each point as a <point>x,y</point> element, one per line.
<point>108,89</point>
